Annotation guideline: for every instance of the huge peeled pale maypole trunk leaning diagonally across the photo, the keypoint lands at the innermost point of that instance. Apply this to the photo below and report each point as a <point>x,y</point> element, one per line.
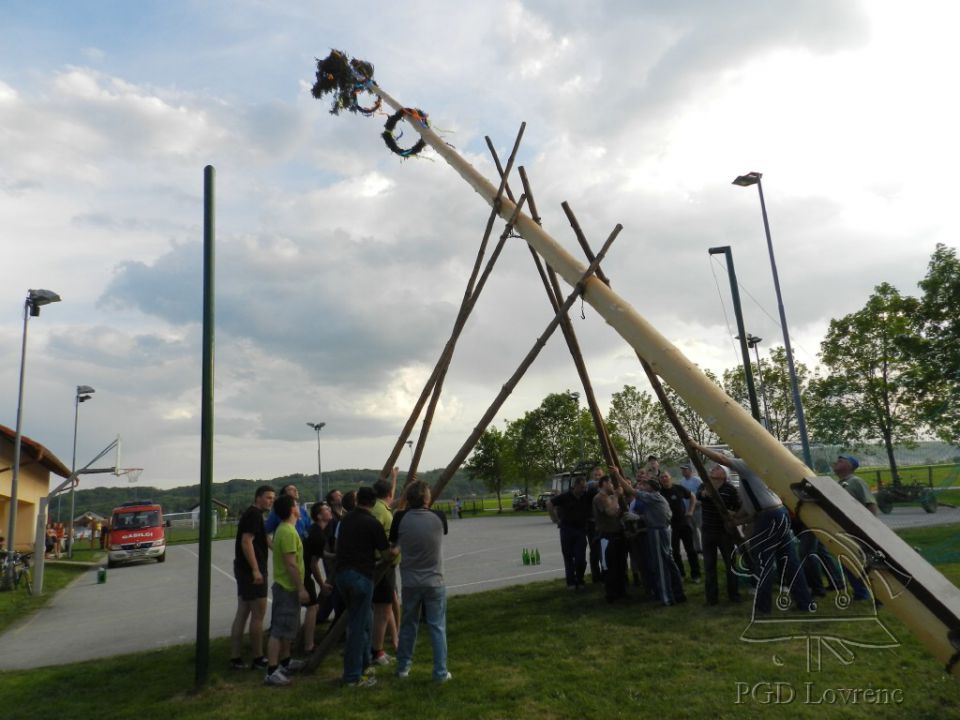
<point>927,603</point>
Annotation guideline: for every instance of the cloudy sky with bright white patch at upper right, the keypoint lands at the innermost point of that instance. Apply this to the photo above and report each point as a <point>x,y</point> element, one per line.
<point>340,266</point>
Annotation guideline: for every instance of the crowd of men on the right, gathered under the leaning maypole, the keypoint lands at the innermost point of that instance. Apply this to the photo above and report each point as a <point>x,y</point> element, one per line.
<point>642,526</point>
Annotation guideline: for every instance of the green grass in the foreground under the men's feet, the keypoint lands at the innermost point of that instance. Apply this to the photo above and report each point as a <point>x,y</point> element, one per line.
<point>535,651</point>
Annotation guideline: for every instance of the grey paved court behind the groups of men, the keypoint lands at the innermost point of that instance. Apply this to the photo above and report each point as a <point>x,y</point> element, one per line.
<point>153,605</point>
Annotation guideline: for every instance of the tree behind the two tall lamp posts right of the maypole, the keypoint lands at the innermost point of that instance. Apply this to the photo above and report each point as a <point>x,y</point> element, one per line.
<point>776,388</point>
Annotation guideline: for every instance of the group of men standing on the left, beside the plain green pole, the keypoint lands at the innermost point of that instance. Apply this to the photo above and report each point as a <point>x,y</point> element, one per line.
<point>341,557</point>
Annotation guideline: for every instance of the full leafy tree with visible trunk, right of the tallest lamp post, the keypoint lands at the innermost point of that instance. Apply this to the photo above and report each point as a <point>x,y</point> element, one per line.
<point>866,394</point>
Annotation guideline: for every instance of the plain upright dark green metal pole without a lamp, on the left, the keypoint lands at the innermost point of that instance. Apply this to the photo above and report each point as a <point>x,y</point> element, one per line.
<point>206,435</point>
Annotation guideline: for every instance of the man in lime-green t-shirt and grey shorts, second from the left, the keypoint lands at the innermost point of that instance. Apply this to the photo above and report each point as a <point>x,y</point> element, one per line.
<point>288,593</point>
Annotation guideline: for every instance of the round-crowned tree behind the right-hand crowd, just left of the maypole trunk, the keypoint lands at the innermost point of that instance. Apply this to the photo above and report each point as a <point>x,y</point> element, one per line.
<point>638,424</point>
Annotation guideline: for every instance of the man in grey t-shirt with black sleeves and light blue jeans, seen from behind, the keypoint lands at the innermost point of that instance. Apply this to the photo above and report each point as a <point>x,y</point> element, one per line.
<point>418,532</point>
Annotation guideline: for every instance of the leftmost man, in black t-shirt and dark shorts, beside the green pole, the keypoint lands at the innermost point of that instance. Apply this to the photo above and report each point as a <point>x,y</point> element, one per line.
<point>250,571</point>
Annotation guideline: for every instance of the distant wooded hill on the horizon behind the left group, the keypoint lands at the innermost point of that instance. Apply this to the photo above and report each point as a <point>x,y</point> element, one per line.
<point>237,494</point>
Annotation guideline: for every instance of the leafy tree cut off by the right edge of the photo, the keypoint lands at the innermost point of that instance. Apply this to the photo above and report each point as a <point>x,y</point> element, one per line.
<point>936,347</point>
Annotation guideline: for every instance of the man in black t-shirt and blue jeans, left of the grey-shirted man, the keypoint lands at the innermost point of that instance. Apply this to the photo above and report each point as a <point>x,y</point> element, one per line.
<point>360,538</point>
